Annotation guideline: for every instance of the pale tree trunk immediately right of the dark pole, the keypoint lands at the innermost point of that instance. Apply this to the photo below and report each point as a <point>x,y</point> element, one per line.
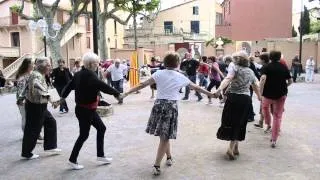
<point>103,45</point>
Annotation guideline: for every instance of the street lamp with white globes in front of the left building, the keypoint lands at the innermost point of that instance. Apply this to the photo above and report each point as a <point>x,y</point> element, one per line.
<point>43,26</point>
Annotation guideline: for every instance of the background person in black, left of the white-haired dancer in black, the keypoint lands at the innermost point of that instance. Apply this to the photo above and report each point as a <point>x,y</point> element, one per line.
<point>61,76</point>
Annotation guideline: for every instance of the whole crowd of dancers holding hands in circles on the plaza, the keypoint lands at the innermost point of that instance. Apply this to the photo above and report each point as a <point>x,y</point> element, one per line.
<point>234,77</point>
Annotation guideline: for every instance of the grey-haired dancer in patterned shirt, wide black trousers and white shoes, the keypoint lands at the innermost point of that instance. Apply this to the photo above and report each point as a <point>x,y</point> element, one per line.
<point>37,114</point>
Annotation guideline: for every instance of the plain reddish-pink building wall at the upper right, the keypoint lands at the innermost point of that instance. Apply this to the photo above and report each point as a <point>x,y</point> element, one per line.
<point>257,20</point>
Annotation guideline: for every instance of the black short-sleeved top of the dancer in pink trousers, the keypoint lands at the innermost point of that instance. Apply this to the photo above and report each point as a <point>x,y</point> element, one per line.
<point>276,82</point>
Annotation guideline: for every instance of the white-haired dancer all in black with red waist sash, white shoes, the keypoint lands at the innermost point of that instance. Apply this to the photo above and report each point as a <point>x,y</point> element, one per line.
<point>87,86</point>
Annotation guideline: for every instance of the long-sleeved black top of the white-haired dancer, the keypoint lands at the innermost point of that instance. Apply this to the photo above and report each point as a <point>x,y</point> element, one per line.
<point>87,86</point>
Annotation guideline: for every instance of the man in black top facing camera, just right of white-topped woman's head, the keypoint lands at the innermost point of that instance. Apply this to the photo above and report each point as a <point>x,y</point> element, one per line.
<point>191,65</point>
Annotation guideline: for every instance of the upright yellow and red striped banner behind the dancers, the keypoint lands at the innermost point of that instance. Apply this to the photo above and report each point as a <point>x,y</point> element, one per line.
<point>134,70</point>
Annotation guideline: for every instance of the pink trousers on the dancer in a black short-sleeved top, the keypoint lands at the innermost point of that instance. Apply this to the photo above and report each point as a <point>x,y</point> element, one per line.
<point>278,109</point>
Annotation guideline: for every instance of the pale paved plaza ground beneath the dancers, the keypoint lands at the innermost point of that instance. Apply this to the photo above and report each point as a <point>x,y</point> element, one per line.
<point>197,152</point>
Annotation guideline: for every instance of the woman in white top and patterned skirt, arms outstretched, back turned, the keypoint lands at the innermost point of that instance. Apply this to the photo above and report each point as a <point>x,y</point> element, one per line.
<point>163,120</point>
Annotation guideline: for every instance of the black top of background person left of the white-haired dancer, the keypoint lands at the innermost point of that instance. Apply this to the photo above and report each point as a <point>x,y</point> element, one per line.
<point>61,77</point>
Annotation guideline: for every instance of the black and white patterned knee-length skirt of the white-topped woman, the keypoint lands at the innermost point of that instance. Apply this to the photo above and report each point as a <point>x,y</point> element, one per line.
<point>163,120</point>
